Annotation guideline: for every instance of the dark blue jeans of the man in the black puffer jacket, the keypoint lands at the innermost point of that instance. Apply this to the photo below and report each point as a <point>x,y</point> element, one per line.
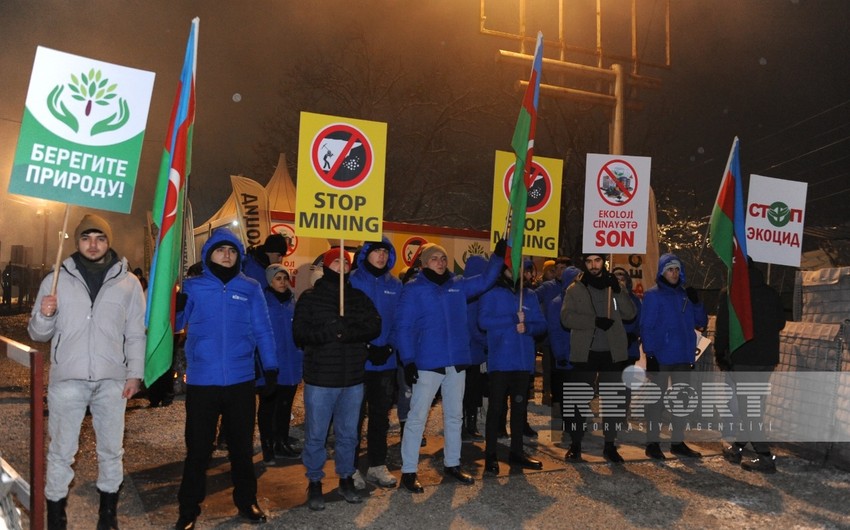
<point>321,404</point>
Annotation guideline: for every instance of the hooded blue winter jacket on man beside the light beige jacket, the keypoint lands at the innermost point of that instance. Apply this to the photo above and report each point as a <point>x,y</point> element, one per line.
<point>225,324</point>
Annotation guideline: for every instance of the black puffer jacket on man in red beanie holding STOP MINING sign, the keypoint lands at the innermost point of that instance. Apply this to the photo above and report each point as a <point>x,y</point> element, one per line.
<point>334,346</point>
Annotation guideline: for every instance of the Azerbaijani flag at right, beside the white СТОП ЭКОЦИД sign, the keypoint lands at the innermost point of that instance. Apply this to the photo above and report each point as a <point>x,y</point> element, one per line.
<point>729,241</point>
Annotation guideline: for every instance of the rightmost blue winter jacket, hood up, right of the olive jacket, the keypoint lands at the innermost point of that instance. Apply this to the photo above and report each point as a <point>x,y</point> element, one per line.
<point>668,319</point>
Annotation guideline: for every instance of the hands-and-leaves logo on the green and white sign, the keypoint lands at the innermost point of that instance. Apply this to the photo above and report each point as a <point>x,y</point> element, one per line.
<point>91,89</point>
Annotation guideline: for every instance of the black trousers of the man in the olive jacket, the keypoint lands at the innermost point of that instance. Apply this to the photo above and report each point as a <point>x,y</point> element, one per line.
<point>600,368</point>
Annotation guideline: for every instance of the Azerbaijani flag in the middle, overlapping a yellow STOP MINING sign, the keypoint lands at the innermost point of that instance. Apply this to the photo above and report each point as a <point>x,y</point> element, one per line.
<point>523,145</point>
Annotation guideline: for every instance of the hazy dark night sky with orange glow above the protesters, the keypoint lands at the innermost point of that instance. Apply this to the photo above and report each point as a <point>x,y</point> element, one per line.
<point>773,72</point>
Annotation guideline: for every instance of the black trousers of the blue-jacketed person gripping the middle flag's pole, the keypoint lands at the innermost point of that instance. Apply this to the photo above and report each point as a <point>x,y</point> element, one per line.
<point>515,385</point>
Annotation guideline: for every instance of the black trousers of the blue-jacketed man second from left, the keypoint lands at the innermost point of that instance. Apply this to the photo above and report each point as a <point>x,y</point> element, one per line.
<point>236,406</point>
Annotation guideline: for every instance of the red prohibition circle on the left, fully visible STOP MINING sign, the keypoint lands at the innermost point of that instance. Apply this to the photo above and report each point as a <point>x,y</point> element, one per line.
<point>341,156</point>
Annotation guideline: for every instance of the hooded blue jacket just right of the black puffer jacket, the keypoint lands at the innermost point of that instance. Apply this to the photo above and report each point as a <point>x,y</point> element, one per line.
<point>385,293</point>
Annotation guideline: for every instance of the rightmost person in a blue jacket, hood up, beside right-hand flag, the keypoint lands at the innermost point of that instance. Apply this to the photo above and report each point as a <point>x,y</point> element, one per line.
<point>670,316</point>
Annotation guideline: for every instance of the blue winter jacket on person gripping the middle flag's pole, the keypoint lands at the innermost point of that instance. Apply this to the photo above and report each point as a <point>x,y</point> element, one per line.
<point>507,350</point>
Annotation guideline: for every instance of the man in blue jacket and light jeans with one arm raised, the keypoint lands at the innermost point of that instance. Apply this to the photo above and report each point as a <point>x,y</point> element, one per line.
<point>433,341</point>
